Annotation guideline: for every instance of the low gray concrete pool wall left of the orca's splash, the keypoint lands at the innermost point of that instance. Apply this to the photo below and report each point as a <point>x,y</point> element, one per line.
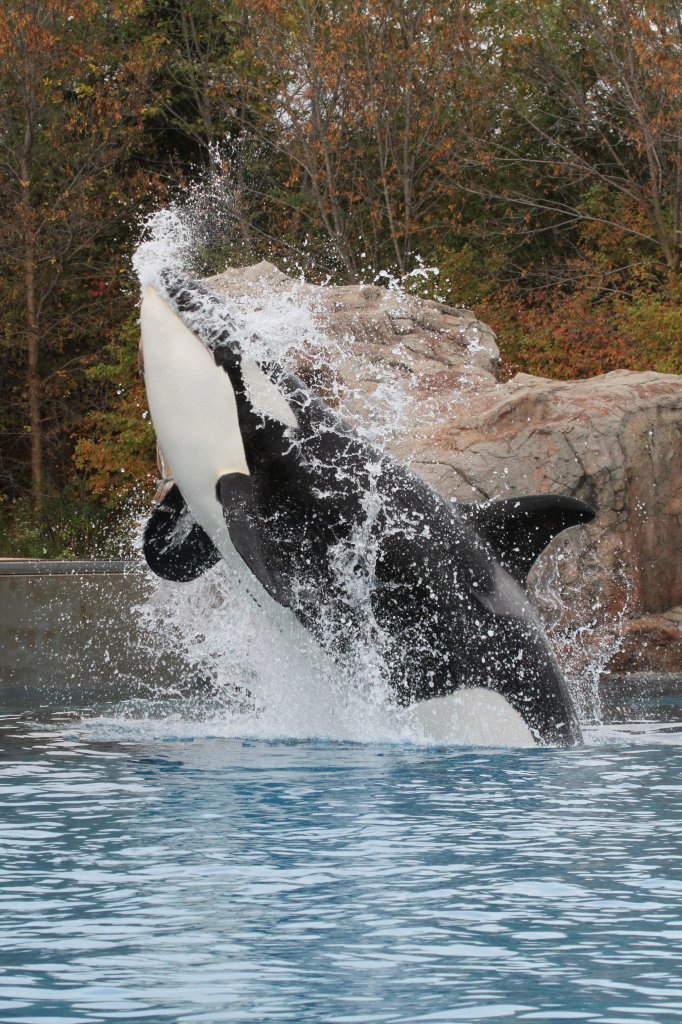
<point>69,632</point>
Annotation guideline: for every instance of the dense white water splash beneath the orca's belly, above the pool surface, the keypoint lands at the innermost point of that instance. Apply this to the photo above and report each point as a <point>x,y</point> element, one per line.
<point>254,670</point>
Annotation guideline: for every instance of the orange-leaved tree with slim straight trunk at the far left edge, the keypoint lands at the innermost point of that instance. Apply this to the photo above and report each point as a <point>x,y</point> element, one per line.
<point>74,82</point>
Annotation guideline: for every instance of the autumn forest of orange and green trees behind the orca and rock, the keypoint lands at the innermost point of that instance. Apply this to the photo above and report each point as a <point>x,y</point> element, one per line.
<point>530,154</point>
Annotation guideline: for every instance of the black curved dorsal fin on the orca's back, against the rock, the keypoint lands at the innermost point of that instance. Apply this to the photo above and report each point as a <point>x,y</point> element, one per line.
<point>520,529</point>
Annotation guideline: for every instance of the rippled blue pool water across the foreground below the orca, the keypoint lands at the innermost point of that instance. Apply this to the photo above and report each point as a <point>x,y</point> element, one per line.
<point>205,879</point>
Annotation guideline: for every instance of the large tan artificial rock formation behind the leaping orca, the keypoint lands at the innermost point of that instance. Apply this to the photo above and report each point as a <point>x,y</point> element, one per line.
<point>616,441</point>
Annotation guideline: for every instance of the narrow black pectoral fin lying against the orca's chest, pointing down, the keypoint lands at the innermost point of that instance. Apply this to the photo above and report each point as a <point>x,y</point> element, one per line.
<point>236,494</point>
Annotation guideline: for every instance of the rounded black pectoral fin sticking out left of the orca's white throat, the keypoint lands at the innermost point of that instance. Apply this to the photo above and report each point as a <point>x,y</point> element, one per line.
<point>176,547</point>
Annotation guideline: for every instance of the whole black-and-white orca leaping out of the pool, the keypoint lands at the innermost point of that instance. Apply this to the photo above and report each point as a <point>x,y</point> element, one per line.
<point>340,533</point>
